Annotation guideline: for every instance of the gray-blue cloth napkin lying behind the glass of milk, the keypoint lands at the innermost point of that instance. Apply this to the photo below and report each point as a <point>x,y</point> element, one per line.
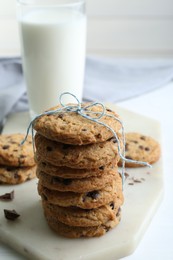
<point>108,80</point>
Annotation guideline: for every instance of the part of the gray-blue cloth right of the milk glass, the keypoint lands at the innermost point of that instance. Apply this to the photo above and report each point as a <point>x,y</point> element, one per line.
<point>113,80</point>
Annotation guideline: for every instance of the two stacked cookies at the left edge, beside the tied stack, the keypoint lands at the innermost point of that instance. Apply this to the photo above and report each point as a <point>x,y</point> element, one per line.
<point>17,163</point>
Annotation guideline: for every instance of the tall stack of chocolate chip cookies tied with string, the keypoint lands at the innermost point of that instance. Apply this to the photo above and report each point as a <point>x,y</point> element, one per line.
<point>79,183</point>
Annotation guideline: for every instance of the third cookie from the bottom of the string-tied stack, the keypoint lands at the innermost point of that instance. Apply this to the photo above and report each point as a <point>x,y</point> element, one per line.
<point>86,200</point>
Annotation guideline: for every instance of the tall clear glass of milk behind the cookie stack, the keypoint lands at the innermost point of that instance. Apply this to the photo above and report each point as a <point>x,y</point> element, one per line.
<point>53,46</point>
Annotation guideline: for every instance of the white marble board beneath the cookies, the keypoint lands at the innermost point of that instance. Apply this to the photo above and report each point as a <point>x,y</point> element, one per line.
<point>30,234</point>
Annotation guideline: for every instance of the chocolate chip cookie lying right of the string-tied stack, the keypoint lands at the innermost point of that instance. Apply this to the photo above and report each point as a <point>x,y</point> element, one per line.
<point>141,148</point>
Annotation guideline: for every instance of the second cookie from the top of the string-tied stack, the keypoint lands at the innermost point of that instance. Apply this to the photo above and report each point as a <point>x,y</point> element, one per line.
<point>75,156</point>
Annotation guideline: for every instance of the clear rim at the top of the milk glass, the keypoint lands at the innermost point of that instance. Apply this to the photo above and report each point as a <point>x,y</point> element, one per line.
<point>50,3</point>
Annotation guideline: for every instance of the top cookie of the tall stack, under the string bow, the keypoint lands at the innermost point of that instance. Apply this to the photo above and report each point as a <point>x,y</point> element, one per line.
<point>72,128</point>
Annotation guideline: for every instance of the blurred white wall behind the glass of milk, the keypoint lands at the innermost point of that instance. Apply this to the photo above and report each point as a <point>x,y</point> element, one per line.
<point>123,28</point>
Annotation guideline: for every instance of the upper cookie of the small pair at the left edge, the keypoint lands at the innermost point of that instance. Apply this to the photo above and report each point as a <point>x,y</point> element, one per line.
<point>14,154</point>
